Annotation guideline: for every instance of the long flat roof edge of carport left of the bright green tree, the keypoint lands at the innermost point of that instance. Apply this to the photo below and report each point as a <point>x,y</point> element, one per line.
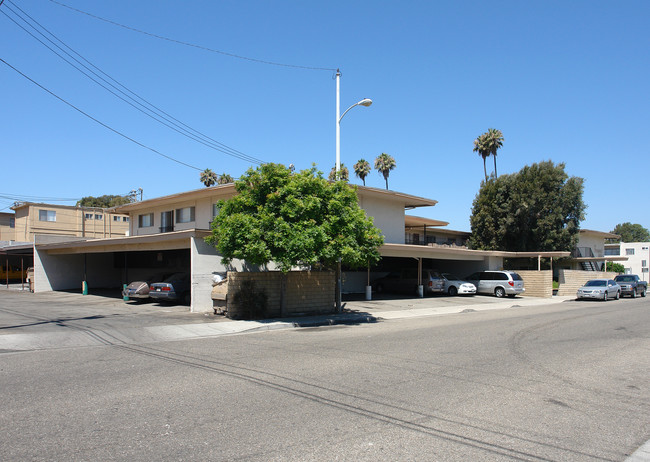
<point>162,241</point>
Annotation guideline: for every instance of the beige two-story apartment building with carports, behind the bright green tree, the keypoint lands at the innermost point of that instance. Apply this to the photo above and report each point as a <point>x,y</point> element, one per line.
<point>166,233</point>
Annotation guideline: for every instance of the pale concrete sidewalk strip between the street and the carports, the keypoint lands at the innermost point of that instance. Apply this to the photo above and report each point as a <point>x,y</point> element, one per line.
<point>74,334</point>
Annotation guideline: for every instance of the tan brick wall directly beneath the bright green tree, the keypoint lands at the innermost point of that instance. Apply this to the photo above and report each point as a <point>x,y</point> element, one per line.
<point>308,292</point>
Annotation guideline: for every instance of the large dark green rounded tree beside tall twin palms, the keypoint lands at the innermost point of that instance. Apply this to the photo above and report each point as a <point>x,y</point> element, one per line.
<point>537,209</point>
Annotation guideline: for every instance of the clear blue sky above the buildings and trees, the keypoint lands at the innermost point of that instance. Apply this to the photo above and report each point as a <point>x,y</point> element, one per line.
<point>564,81</point>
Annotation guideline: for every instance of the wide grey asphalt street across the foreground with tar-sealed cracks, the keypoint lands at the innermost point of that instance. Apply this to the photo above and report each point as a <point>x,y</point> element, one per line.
<point>568,381</point>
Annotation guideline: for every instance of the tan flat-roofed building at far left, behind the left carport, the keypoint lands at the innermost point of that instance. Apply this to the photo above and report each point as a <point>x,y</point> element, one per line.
<point>32,219</point>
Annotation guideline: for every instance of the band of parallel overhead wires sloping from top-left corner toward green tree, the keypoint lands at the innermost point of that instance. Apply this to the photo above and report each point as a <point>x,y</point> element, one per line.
<point>156,113</point>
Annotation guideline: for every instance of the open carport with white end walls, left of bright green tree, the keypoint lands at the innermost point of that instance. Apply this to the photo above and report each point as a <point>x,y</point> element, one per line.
<point>110,263</point>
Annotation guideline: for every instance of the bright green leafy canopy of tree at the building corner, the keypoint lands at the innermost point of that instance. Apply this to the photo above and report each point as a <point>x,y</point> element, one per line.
<point>294,219</point>
